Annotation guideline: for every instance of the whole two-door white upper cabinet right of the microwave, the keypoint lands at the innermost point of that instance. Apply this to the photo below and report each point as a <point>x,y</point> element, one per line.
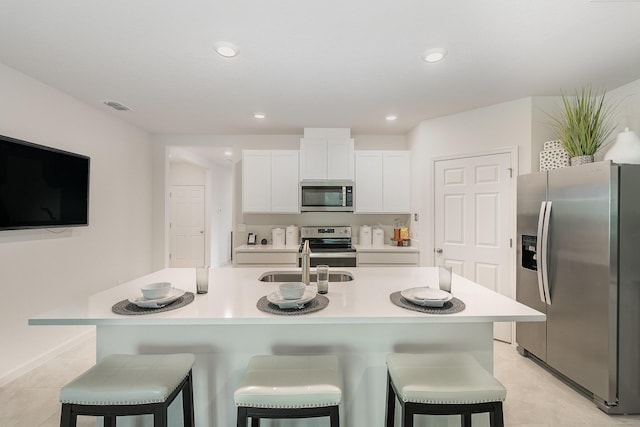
<point>382,182</point>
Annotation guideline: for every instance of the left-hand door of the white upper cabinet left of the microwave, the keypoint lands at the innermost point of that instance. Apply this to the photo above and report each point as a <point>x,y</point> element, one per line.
<point>256,181</point>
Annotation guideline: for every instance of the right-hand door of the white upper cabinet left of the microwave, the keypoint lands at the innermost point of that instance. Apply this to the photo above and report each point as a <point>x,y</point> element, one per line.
<point>284,181</point>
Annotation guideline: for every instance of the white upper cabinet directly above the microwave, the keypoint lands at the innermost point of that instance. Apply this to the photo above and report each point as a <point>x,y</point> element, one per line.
<point>327,154</point>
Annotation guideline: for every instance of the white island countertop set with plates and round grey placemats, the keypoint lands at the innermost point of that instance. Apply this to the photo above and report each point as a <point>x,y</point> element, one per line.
<point>234,292</point>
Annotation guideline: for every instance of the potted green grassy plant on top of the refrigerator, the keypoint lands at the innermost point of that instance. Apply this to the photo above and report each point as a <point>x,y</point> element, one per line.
<point>584,124</point>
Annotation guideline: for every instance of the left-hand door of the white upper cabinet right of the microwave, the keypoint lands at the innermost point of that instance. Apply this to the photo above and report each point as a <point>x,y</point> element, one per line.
<point>368,181</point>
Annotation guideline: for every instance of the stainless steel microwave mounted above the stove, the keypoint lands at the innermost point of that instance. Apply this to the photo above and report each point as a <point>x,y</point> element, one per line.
<point>326,196</point>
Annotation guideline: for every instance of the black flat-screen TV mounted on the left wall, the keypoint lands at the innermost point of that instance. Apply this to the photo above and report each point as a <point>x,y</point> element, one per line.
<point>42,187</point>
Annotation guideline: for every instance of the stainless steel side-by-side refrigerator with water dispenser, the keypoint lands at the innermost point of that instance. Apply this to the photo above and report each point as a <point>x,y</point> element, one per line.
<point>579,262</point>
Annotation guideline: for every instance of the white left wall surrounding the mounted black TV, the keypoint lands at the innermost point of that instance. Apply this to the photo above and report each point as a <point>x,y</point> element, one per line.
<point>42,269</point>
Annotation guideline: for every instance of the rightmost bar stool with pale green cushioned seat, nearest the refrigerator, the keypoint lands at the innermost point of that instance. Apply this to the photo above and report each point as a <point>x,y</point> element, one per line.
<point>442,384</point>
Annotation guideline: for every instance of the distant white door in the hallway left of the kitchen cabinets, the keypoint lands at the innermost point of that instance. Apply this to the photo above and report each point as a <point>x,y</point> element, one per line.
<point>187,226</point>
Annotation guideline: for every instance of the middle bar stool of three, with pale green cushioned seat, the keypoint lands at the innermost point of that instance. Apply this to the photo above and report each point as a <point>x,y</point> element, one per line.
<point>280,387</point>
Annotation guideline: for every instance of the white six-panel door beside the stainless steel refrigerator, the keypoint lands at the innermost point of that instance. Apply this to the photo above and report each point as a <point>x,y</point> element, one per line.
<point>473,222</point>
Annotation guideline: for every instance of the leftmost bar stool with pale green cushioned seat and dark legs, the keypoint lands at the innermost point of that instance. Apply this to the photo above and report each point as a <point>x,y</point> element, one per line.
<point>123,384</point>
